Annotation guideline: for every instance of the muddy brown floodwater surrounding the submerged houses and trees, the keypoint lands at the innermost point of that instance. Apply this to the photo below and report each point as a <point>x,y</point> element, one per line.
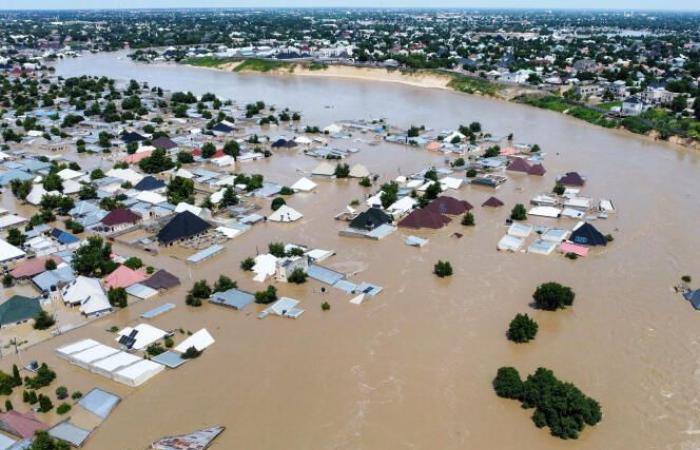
<point>412,367</point>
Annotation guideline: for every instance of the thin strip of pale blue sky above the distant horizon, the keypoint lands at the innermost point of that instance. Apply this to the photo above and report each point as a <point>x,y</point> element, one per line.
<point>554,4</point>
